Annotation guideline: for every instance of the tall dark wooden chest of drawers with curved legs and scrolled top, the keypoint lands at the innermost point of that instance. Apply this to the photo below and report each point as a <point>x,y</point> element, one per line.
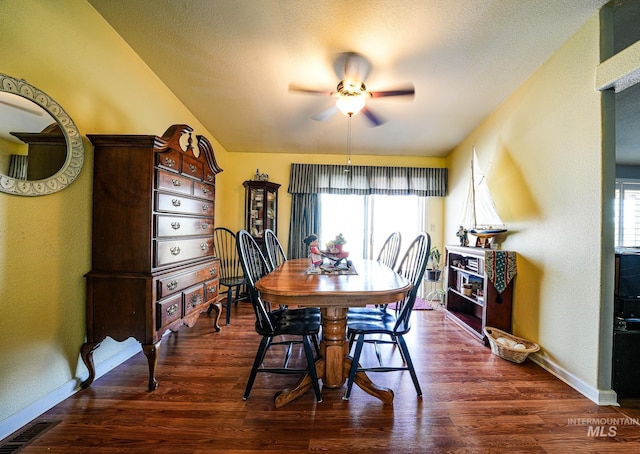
<point>153,264</point>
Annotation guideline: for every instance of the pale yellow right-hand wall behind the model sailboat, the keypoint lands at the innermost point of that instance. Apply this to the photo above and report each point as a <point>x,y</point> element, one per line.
<point>542,152</point>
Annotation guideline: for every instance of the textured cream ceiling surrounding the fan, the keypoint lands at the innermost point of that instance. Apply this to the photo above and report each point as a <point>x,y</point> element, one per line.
<point>231,62</point>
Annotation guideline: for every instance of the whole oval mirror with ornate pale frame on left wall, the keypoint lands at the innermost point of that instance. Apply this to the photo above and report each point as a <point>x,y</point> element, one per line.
<point>41,150</point>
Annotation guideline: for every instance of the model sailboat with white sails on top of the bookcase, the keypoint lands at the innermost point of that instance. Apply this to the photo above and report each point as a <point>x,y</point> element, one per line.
<point>480,217</point>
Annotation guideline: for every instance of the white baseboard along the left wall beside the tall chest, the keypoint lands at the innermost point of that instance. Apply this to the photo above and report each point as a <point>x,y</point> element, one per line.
<point>31,412</point>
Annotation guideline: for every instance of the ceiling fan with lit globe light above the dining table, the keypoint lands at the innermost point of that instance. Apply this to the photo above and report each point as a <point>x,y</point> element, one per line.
<point>352,68</point>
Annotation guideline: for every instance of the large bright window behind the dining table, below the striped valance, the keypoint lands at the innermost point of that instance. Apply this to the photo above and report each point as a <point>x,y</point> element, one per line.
<point>367,221</point>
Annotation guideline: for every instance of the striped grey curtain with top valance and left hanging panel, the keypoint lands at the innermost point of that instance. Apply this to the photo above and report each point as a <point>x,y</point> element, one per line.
<point>306,181</point>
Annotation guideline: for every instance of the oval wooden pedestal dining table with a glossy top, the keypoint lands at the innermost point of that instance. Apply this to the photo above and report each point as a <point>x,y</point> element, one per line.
<point>334,294</point>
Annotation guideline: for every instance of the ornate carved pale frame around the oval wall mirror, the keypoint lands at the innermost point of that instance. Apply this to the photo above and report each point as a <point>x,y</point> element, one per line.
<point>75,149</point>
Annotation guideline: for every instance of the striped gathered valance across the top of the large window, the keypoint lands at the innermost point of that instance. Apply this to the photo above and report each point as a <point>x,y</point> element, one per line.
<point>363,180</point>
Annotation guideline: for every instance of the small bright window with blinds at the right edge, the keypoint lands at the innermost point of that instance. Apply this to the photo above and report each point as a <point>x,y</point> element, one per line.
<point>627,213</point>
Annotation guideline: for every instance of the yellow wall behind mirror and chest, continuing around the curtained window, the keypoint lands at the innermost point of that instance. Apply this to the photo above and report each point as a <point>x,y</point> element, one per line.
<point>45,242</point>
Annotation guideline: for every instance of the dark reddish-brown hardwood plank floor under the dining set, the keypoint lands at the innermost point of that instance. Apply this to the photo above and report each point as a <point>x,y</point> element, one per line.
<point>473,402</point>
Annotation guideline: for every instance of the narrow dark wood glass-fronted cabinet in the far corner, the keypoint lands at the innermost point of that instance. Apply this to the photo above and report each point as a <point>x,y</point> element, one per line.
<point>261,208</point>
